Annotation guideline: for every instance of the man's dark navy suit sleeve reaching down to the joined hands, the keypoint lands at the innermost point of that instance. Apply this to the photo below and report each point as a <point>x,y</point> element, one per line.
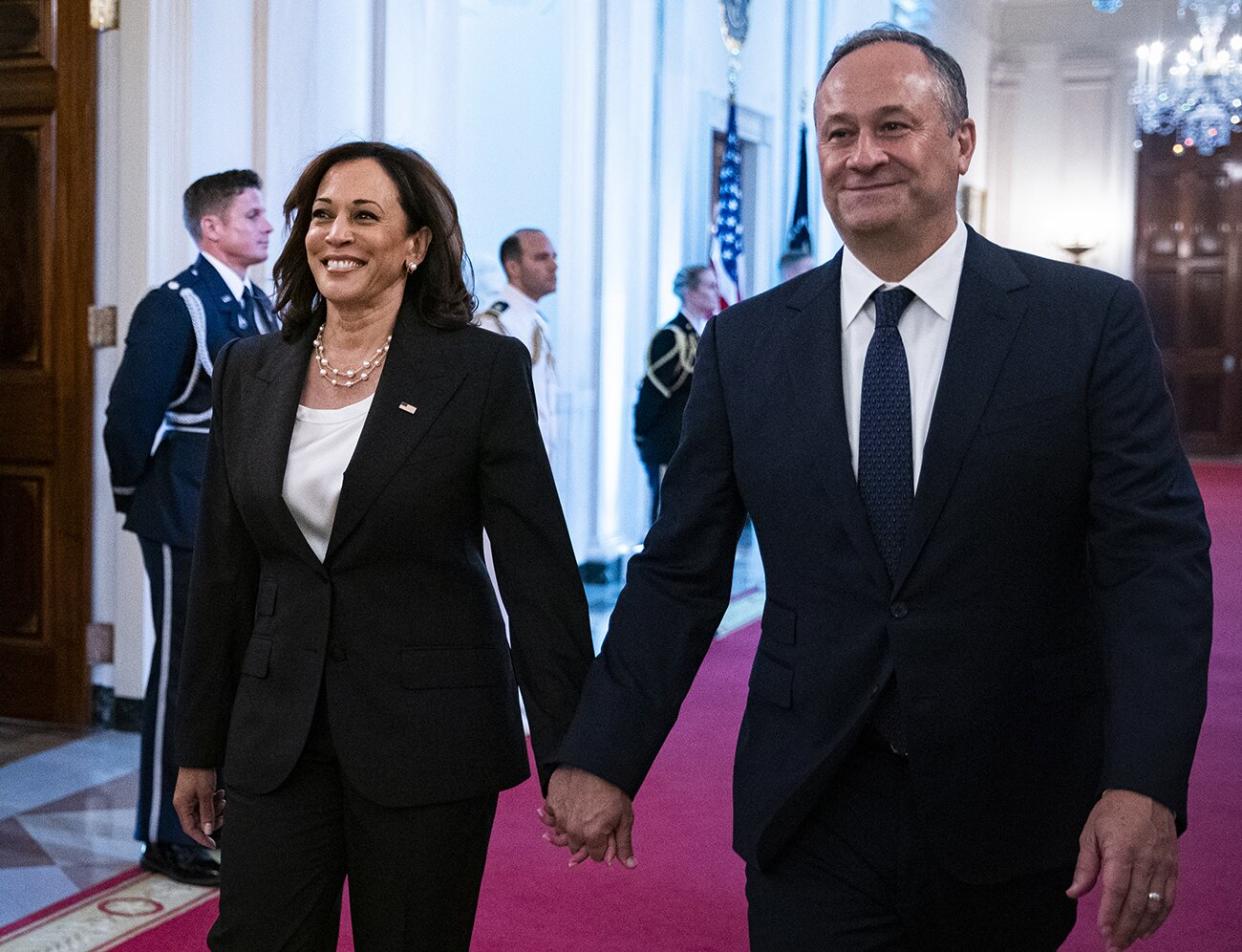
<point>676,593</point>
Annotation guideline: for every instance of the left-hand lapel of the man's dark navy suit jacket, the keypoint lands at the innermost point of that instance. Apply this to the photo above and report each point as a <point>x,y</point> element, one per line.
<point>814,364</point>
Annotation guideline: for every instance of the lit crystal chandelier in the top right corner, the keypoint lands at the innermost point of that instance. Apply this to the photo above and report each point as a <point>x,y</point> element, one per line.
<point>1199,99</point>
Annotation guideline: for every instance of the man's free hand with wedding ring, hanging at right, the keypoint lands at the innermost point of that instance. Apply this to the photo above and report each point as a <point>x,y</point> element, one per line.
<point>1131,845</point>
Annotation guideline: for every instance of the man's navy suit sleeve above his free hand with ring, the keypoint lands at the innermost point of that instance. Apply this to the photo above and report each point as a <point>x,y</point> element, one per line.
<point>1149,557</point>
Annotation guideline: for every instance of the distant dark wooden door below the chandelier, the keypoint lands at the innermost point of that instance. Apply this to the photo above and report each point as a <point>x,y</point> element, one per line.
<point>1189,264</point>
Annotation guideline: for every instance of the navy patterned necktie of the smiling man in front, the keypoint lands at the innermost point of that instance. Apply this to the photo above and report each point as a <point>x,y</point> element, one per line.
<point>886,464</point>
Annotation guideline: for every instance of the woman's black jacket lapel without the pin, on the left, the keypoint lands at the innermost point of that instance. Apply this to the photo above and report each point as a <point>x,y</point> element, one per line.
<point>285,374</point>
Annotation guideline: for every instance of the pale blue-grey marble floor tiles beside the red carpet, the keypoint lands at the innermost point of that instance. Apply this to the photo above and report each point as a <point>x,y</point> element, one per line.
<point>68,795</point>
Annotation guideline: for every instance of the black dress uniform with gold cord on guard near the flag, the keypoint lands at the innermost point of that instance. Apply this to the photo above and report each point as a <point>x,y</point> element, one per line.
<point>663,395</point>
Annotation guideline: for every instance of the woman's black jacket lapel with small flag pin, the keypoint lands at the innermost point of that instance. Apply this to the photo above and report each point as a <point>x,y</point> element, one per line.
<point>419,373</point>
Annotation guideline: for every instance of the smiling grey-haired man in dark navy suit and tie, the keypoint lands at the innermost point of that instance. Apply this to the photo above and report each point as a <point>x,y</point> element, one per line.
<point>984,656</point>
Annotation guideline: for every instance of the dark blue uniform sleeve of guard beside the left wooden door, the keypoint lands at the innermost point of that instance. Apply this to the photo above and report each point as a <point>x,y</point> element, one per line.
<point>160,353</point>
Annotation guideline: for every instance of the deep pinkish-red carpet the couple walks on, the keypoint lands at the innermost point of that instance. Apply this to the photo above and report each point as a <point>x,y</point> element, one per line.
<point>687,893</point>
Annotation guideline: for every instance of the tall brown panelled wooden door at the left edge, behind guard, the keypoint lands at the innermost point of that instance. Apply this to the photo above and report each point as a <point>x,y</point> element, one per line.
<point>48,102</point>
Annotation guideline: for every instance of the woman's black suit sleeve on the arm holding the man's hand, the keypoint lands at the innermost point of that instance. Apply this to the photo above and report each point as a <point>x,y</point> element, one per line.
<point>536,569</point>
